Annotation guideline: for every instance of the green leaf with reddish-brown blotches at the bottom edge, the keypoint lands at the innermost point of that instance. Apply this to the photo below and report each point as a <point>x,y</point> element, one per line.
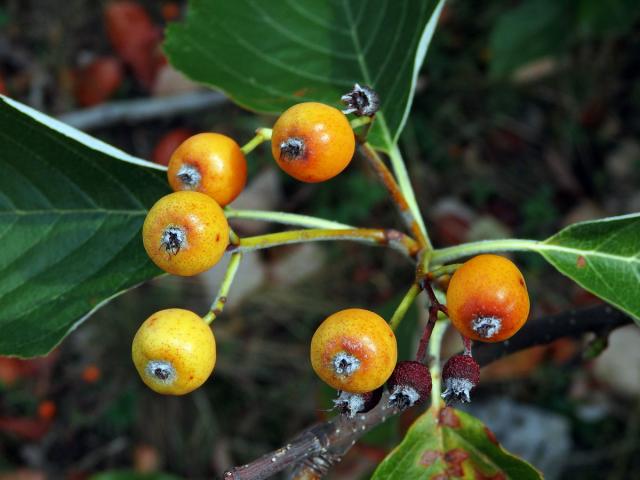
<point>447,443</point>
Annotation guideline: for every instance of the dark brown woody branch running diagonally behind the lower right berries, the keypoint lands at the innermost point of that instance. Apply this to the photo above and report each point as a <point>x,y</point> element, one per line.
<point>317,448</point>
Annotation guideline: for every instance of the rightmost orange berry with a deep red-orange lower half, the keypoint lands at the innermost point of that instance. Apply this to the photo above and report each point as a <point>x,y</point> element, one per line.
<point>488,290</point>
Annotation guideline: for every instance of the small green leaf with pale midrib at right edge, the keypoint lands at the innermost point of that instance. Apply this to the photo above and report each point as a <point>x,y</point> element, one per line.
<point>603,256</point>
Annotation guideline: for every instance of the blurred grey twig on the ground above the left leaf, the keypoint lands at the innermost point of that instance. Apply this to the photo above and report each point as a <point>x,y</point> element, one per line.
<point>142,109</point>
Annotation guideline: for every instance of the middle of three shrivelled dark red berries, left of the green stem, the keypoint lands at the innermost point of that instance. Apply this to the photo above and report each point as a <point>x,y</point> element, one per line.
<point>409,384</point>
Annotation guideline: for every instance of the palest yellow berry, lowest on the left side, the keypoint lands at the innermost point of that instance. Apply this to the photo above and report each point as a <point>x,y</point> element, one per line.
<point>174,351</point>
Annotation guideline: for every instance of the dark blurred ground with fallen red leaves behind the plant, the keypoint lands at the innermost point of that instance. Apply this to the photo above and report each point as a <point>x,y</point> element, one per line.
<point>526,119</point>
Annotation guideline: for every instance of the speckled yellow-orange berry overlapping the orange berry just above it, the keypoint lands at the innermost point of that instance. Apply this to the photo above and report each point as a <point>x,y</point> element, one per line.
<point>204,226</point>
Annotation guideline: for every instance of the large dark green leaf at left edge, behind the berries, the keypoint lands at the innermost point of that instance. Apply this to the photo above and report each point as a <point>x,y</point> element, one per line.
<point>71,208</point>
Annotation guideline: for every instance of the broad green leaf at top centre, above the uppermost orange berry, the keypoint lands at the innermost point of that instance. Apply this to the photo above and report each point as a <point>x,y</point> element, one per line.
<point>268,56</point>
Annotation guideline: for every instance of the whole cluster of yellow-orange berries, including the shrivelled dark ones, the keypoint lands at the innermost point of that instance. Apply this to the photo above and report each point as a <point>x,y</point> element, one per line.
<point>353,350</point>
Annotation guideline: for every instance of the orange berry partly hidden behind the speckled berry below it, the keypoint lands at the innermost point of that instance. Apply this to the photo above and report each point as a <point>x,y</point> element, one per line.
<point>218,162</point>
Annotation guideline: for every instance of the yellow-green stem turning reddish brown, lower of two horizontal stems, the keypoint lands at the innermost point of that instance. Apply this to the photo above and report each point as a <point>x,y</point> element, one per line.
<point>391,238</point>
